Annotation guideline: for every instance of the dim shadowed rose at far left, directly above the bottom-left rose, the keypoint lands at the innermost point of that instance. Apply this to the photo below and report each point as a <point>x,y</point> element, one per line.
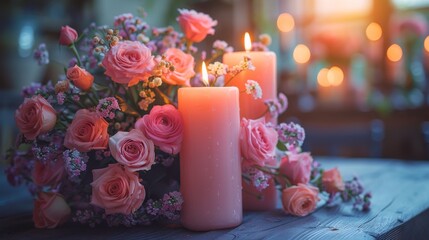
<point>49,173</point>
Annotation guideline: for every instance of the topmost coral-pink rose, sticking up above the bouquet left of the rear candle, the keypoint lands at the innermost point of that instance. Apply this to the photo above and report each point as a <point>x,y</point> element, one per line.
<point>195,25</point>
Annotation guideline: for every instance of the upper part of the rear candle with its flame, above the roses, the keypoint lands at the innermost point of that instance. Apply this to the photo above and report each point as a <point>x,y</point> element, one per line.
<point>265,74</point>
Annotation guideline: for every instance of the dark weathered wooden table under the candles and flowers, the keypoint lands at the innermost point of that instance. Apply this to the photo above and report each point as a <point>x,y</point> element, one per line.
<point>400,210</point>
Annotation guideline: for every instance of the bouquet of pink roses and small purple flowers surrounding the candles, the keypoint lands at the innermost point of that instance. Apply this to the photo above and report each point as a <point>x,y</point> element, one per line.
<point>101,144</point>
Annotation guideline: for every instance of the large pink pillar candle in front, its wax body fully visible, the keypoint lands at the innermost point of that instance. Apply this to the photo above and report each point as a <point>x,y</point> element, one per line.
<point>210,171</point>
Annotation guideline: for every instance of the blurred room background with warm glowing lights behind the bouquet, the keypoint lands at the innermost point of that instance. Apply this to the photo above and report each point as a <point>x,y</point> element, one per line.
<point>355,72</point>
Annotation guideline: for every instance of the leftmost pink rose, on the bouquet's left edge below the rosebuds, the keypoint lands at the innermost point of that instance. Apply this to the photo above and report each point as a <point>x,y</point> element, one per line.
<point>35,116</point>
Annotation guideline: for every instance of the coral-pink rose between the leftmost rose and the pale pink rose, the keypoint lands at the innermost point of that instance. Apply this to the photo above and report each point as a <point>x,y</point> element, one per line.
<point>87,131</point>
